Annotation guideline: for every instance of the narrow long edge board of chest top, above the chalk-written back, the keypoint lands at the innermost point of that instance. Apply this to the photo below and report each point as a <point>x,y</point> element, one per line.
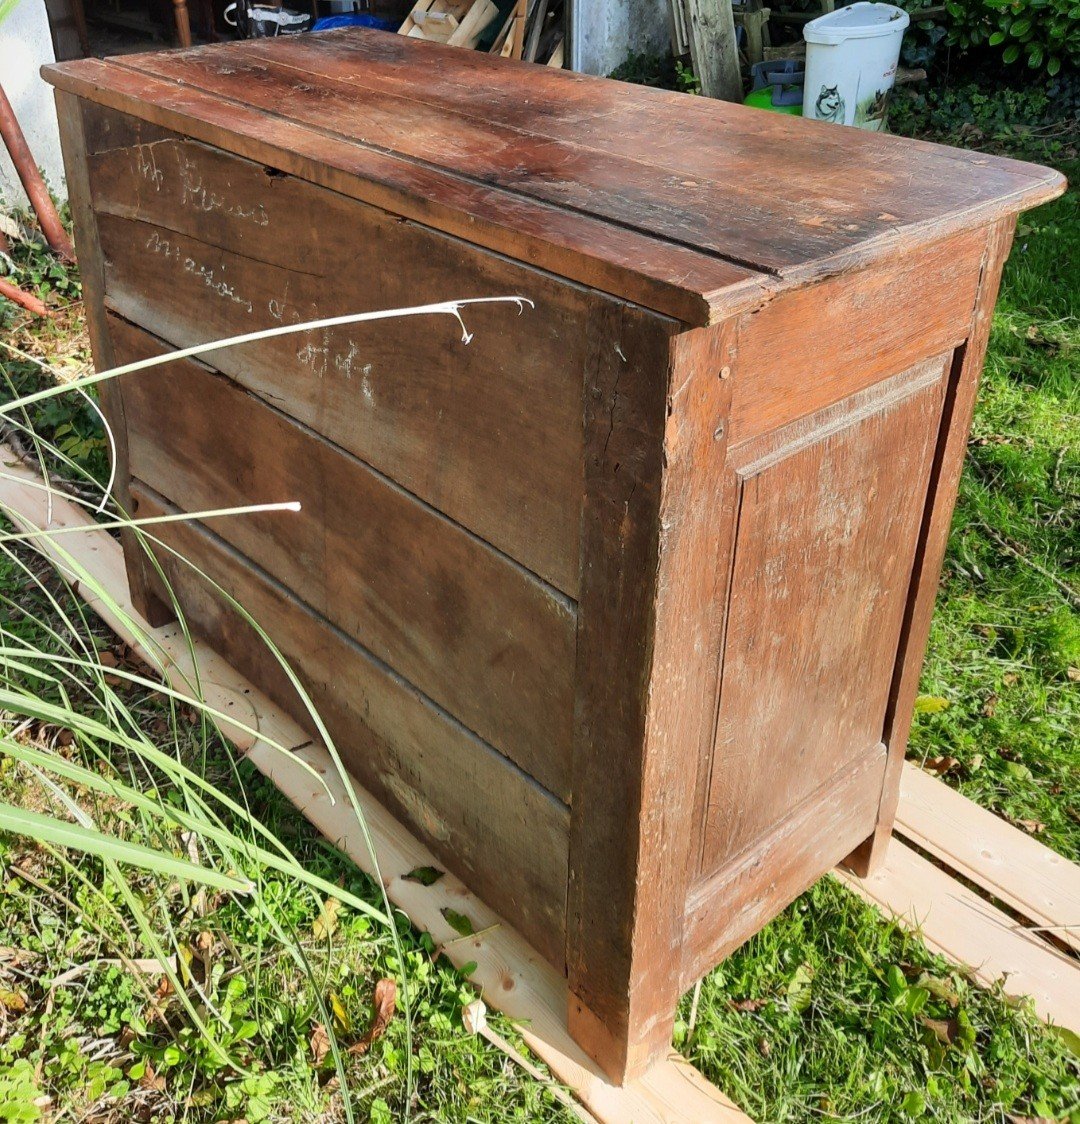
<point>671,279</point>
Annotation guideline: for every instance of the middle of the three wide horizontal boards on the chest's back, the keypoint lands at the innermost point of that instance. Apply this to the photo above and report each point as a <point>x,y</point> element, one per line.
<point>471,630</point>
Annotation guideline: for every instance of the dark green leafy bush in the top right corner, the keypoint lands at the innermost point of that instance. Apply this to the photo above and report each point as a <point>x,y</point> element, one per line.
<point>1046,34</point>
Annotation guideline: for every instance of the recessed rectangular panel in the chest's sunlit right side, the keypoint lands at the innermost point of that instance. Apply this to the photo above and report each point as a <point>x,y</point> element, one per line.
<point>829,513</point>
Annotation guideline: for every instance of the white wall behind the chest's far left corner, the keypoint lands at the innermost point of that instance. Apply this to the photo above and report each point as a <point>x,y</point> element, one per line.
<point>25,47</point>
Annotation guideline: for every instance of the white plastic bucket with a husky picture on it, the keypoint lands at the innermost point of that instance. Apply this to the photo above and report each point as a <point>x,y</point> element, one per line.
<point>851,61</point>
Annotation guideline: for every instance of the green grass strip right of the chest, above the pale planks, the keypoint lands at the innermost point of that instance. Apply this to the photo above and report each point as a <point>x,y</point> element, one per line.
<point>1005,647</point>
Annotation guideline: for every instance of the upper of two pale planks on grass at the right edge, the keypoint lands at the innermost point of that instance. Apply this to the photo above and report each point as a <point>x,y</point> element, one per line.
<point>1006,863</point>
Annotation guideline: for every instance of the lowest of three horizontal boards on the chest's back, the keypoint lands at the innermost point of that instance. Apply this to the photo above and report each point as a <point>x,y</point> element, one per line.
<point>485,819</point>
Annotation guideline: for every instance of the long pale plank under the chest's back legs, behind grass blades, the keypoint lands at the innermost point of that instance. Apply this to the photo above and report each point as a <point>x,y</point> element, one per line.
<point>511,975</point>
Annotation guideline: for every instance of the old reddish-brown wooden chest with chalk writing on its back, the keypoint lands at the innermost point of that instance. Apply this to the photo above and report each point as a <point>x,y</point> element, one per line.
<point>622,605</point>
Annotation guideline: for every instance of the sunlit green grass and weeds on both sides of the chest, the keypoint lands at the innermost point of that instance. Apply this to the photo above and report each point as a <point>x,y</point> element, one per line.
<point>830,1013</point>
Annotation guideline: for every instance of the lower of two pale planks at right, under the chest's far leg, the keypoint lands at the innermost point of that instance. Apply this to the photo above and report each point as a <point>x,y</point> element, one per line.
<point>968,930</point>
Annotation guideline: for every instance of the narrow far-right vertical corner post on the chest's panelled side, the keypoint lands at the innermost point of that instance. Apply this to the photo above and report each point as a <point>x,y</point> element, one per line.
<point>949,459</point>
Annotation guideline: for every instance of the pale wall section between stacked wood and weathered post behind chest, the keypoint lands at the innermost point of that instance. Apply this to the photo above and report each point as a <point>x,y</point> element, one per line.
<point>605,32</point>
